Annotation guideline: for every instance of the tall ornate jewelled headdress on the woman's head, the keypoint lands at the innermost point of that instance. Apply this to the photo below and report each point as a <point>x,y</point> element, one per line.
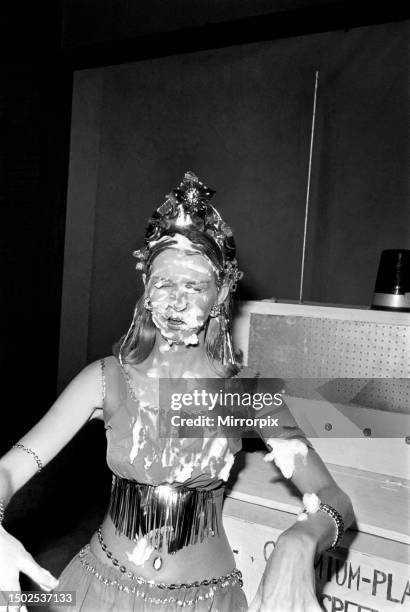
<point>185,209</point>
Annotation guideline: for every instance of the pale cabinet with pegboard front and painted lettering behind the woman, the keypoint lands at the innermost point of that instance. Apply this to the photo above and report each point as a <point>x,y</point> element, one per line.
<point>369,572</point>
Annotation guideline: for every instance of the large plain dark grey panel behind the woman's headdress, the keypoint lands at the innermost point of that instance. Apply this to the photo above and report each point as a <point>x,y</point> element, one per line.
<point>239,116</point>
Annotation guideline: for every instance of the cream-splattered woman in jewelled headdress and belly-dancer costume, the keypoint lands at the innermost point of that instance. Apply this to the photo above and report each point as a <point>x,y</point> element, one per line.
<point>162,545</point>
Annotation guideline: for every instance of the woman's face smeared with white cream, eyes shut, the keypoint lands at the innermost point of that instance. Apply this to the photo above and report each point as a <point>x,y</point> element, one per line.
<point>182,290</point>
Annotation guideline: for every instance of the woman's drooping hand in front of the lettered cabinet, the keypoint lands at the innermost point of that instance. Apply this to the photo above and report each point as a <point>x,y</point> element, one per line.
<point>288,582</point>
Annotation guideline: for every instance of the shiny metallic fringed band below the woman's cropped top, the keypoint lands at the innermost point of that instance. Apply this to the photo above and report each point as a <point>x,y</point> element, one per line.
<point>168,516</point>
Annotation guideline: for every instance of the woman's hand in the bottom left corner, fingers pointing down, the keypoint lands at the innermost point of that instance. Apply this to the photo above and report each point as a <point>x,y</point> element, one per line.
<point>14,559</point>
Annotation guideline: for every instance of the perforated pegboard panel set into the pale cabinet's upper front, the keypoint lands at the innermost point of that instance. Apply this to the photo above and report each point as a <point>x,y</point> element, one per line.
<point>312,347</point>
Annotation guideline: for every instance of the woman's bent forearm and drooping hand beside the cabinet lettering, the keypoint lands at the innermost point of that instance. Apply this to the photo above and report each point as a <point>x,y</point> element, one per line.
<point>288,583</point>
